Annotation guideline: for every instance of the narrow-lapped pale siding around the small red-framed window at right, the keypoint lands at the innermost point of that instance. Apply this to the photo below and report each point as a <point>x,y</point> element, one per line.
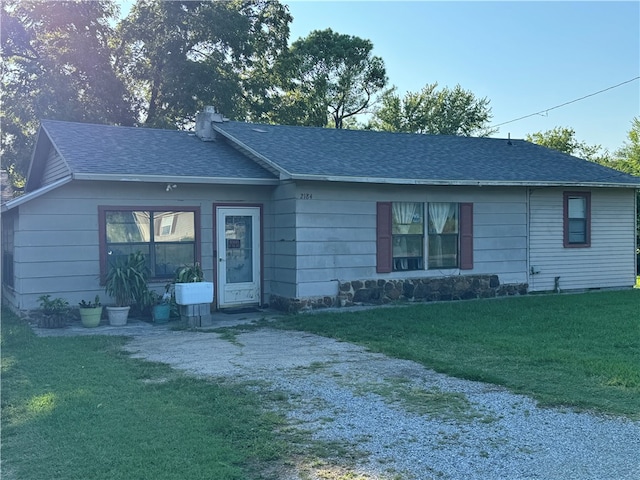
<point>608,262</point>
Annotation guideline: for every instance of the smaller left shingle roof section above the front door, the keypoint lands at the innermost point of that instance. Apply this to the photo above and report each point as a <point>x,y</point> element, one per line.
<point>104,149</point>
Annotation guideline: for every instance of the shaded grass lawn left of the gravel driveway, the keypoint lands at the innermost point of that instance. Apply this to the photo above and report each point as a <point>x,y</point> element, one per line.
<point>79,408</point>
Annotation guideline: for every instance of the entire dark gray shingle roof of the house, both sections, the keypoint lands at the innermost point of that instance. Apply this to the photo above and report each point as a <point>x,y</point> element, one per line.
<point>320,154</point>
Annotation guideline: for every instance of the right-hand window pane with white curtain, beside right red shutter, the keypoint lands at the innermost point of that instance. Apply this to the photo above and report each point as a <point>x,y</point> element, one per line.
<point>443,238</point>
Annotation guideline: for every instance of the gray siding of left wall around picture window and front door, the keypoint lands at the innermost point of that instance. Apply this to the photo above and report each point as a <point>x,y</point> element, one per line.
<point>57,245</point>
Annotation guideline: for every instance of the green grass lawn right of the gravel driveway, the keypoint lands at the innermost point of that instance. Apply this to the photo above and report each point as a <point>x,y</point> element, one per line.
<point>581,351</point>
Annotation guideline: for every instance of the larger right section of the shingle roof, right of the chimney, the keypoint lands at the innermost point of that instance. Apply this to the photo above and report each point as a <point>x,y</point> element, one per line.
<point>373,156</point>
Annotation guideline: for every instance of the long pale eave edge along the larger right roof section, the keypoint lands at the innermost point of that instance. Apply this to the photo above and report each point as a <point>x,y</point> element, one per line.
<point>464,182</point>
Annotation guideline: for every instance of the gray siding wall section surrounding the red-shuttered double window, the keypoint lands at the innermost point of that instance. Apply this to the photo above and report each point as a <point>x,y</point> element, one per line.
<point>336,238</point>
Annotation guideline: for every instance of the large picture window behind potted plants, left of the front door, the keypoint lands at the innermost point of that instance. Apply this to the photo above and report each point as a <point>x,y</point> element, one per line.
<point>167,238</point>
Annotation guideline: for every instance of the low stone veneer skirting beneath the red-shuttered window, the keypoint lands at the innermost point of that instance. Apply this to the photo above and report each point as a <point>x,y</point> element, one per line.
<point>378,292</point>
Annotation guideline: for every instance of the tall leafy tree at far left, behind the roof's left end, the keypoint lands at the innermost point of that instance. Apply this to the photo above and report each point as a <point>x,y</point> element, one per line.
<point>56,63</point>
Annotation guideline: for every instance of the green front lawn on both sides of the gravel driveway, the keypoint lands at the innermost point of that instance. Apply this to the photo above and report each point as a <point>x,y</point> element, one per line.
<point>80,408</point>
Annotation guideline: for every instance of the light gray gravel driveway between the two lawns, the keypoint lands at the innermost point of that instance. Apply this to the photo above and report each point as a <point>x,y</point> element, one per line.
<point>398,419</point>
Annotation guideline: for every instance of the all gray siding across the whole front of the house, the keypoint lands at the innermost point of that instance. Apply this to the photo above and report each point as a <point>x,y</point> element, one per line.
<point>316,235</point>
